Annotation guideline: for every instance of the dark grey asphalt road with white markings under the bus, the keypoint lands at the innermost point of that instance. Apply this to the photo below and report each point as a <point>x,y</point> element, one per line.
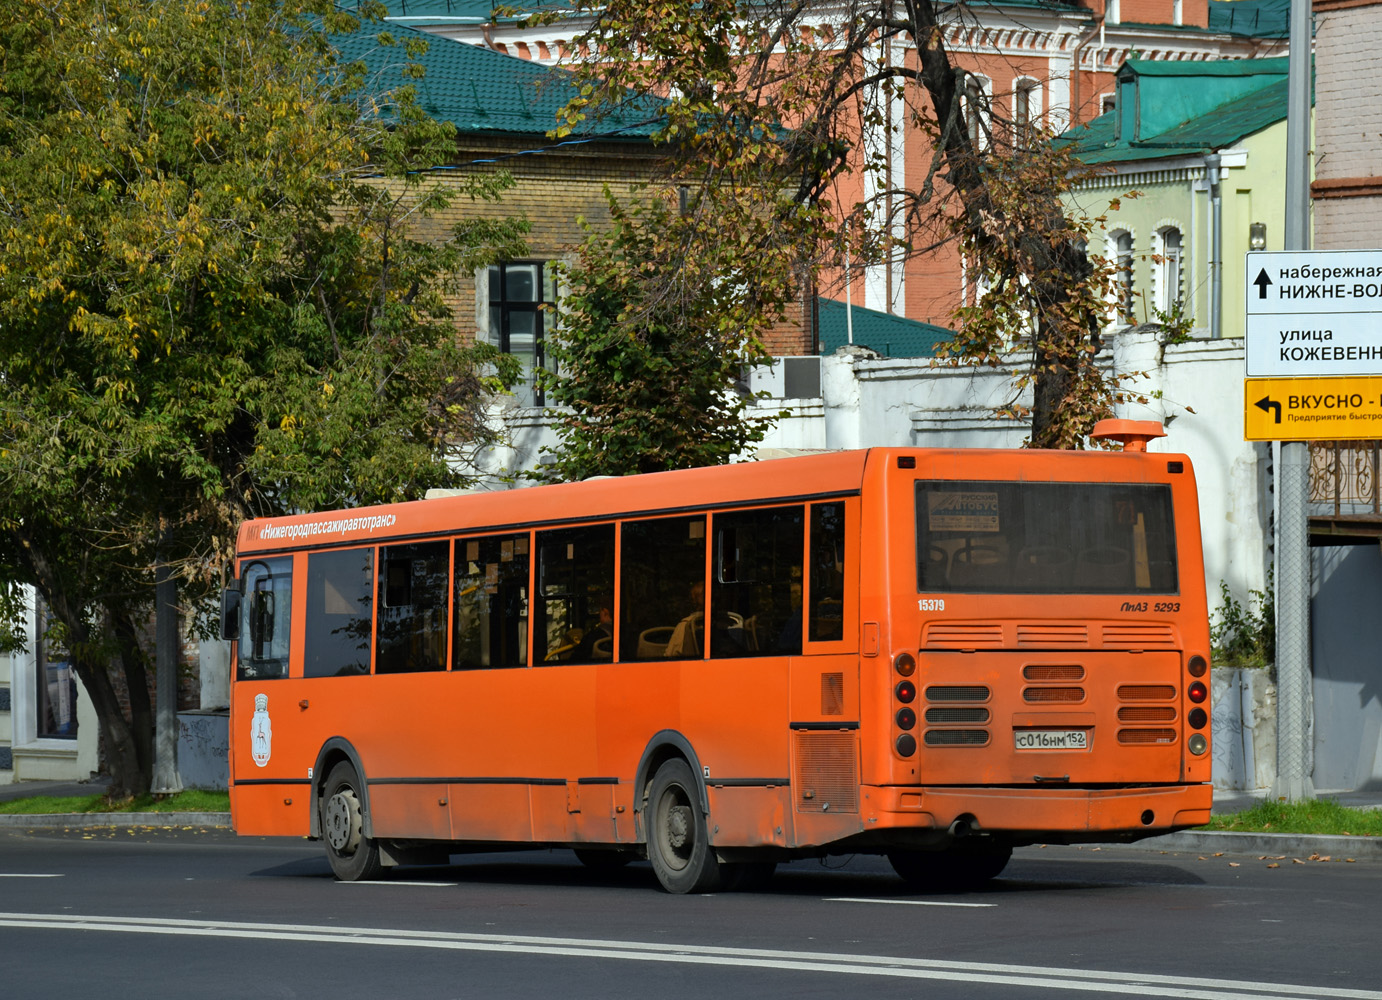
<point>131,914</point>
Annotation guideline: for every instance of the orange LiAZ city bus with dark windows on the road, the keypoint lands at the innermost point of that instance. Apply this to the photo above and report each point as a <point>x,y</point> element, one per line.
<point>932,655</point>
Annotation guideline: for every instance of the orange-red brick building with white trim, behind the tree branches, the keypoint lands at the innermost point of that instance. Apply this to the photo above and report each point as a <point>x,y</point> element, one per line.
<point>1040,60</point>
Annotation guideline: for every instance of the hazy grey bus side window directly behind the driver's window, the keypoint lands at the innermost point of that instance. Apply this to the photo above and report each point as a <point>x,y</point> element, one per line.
<point>339,625</point>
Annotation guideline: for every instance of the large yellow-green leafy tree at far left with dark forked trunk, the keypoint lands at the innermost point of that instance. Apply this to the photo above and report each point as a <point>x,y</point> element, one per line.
<point>212,305</point>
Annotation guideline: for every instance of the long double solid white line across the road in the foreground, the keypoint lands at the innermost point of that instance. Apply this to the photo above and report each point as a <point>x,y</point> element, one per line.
<point>1069,980</point>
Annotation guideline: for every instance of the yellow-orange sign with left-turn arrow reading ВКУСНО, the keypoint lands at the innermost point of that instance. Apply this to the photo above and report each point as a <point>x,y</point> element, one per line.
<point>1344,408</point>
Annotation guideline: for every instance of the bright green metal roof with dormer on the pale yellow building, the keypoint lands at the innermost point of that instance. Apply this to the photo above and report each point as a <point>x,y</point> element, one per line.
<point>1195,111</point>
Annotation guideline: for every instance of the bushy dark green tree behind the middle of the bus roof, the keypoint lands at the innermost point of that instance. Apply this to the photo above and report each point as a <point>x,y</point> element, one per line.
<point>650,372</point>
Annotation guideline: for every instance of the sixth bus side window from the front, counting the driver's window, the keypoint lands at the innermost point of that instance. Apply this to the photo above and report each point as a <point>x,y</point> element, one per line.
<point>663,589</point>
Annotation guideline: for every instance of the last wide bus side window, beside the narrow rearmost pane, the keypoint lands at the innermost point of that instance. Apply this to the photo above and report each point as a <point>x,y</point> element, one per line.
<point>757,592</point>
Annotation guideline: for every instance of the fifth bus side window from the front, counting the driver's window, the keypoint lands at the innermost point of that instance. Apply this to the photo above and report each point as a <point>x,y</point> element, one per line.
<point>576,578</point>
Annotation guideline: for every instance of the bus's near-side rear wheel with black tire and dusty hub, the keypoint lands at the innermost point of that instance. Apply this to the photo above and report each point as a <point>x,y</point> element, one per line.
<point>679,842</point>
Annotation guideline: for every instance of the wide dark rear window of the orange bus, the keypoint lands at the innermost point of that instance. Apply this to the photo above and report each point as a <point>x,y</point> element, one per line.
<point>1045,538</point>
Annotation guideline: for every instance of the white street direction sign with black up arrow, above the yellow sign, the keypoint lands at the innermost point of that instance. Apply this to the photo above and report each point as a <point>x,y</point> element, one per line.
<point>1315,313</point>
